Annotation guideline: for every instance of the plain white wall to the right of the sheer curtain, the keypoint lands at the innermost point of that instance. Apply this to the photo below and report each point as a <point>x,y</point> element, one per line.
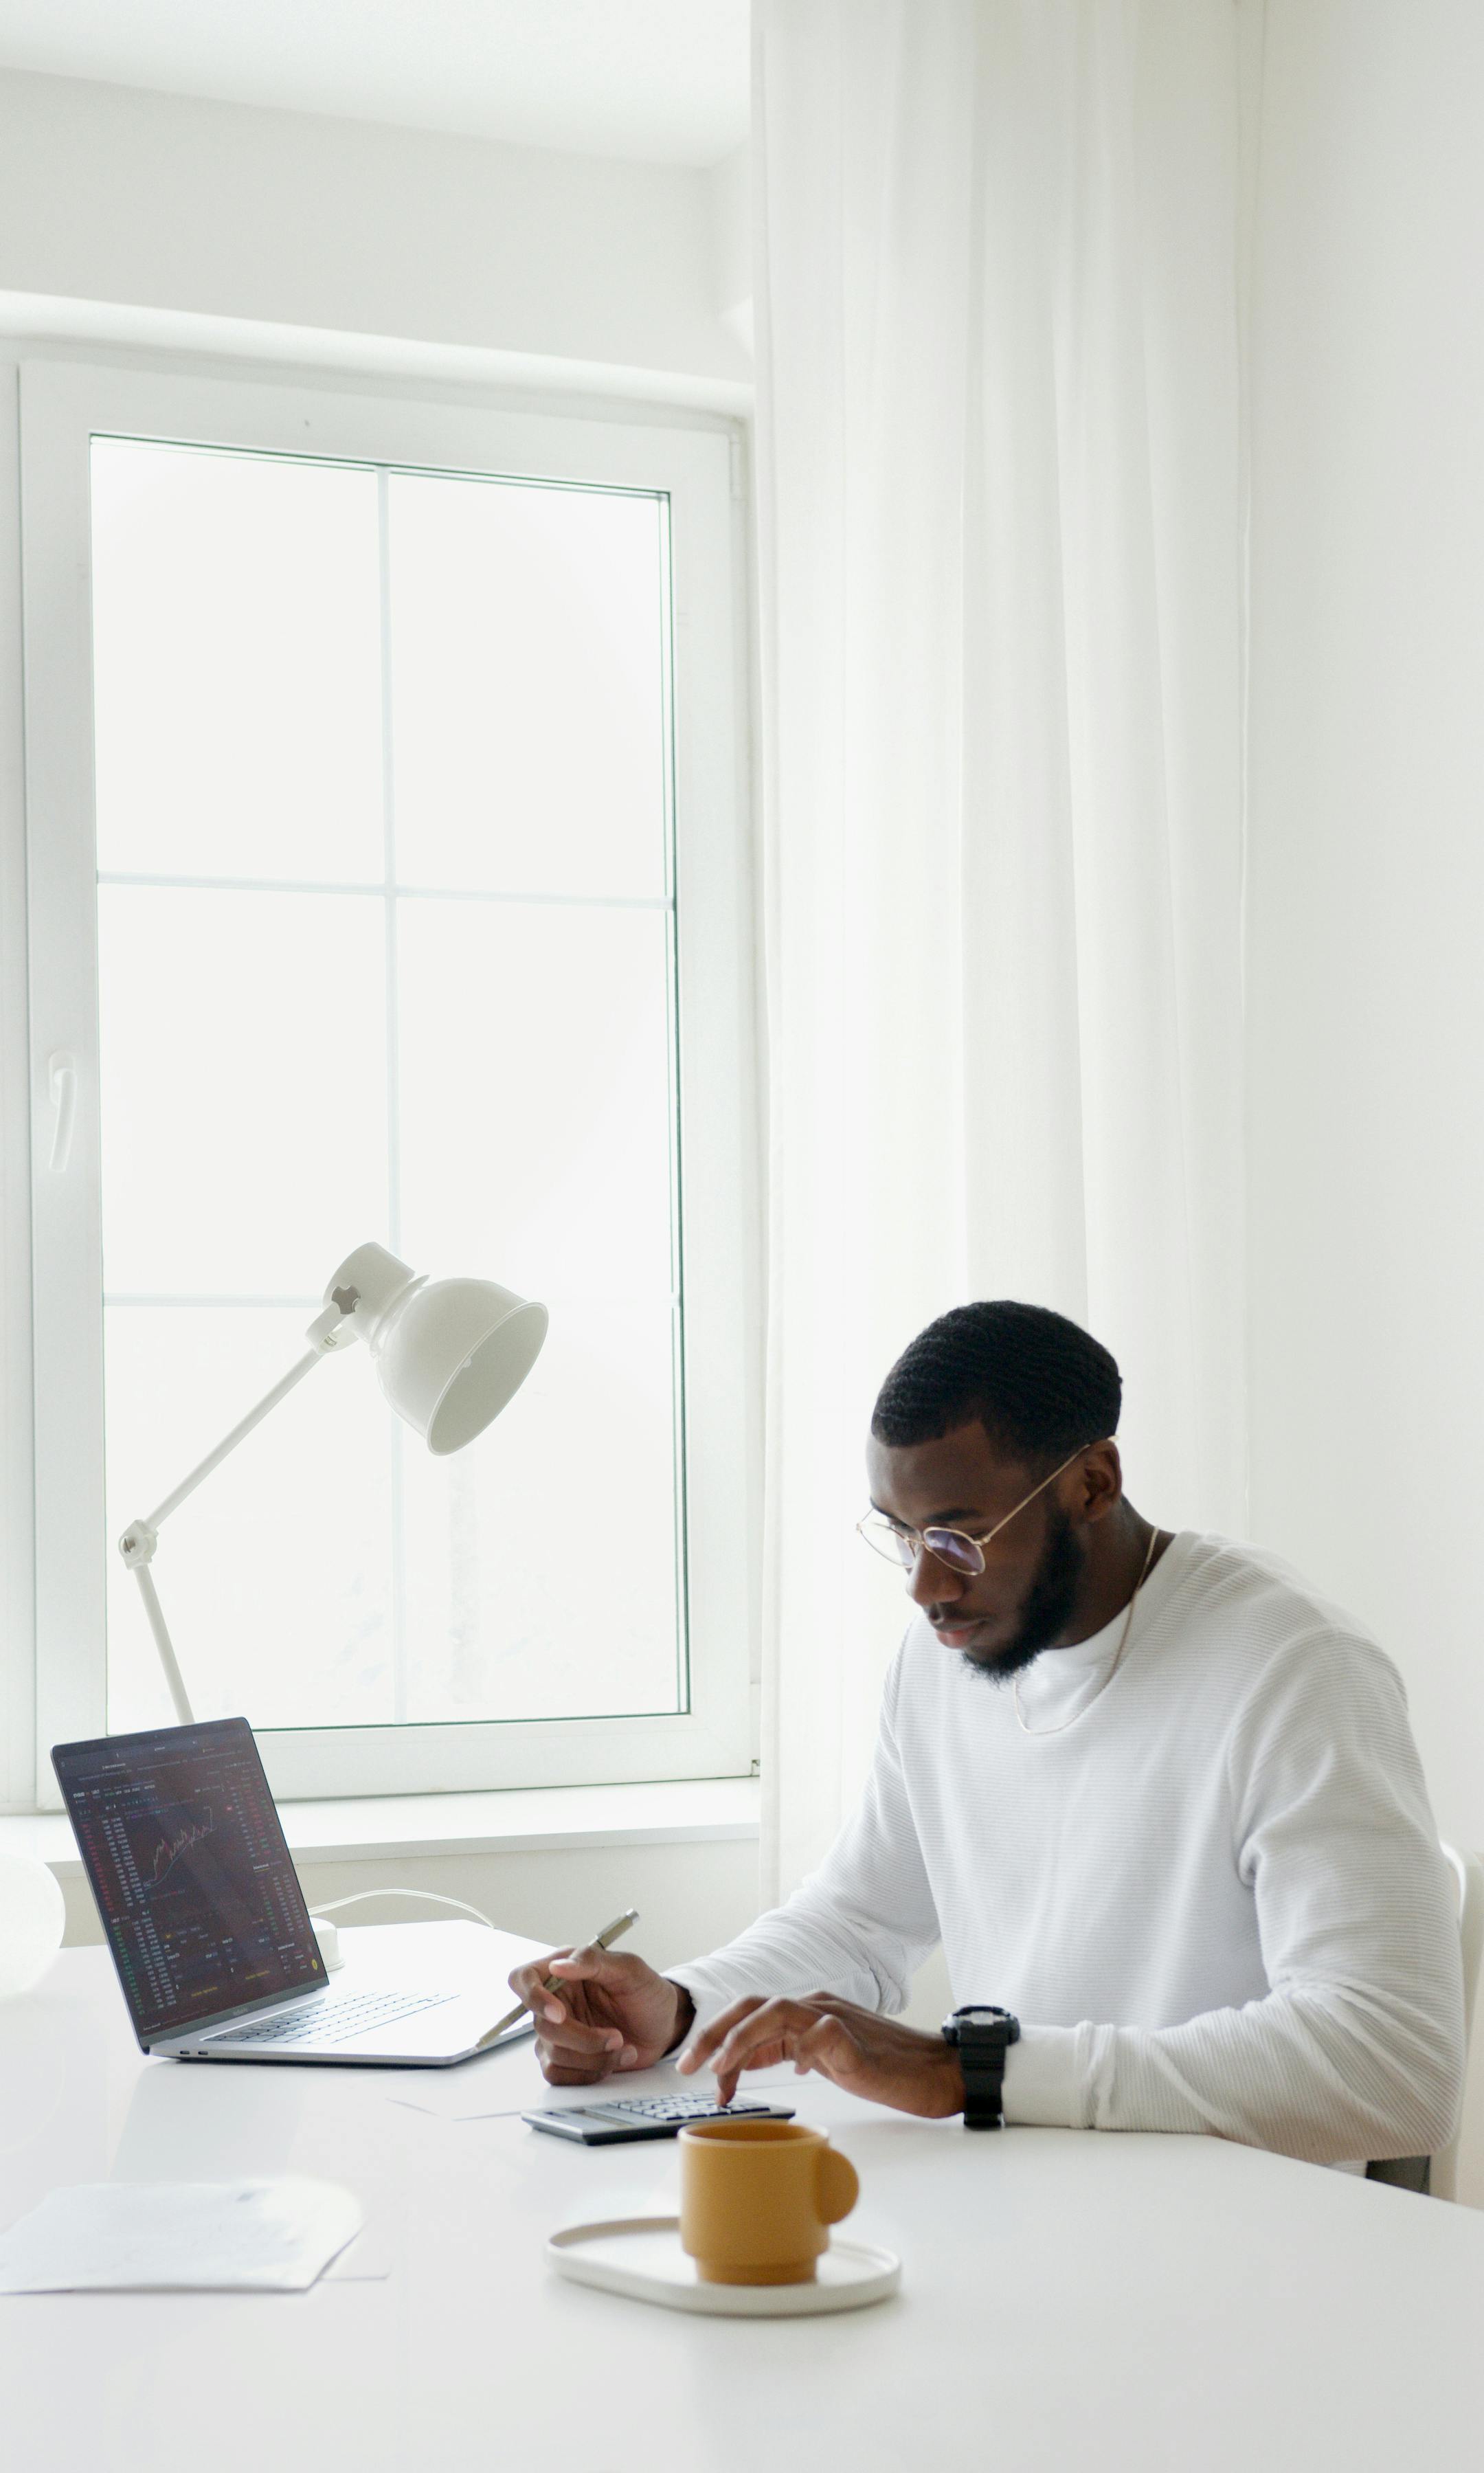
<point>1367,859</point>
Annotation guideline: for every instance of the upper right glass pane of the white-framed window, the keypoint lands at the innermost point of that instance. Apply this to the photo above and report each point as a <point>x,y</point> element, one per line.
<point>528,689</point>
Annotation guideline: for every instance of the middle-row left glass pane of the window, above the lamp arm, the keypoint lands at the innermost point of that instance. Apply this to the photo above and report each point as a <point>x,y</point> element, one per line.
<point>244,1065</point>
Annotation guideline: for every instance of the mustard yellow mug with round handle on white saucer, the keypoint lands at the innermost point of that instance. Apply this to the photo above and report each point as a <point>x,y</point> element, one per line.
<point>758,2200</point>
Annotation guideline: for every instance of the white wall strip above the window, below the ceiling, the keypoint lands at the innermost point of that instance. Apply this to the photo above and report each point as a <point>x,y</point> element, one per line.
<point>226,211</point>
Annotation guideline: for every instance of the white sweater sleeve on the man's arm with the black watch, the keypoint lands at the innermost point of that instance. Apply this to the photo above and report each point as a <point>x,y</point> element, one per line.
<point>1357,2054</point>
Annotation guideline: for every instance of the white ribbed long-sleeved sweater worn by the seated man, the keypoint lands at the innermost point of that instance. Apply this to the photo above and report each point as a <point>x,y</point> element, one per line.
<point>1216,1901</point>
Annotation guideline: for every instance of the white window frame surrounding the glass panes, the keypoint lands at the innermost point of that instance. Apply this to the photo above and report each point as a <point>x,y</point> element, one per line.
<point>63,407</point>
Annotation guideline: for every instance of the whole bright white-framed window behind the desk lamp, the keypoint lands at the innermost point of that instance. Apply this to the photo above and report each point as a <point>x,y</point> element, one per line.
<point>387,874</point>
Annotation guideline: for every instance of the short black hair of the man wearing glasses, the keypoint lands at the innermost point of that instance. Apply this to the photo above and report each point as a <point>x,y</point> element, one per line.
<point>1038,1384</point>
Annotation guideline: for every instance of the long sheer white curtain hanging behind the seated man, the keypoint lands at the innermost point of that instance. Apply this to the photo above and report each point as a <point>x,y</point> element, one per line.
<point>1000,563</point>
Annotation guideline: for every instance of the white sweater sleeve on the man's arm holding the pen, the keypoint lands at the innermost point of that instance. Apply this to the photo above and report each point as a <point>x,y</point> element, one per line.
<point>857,1928</point>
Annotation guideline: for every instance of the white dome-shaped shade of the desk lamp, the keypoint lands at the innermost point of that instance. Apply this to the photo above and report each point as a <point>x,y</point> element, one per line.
<point>449,1351</point>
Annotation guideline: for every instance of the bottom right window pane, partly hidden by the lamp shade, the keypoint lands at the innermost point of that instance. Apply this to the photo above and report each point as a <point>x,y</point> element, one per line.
<point>543,1559</point>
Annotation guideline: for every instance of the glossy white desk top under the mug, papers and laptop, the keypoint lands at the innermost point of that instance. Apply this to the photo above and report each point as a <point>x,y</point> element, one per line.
<point>1174,2306</point>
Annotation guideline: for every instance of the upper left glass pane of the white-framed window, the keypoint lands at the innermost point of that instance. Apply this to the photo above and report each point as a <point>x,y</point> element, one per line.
<point>239,666</point>
